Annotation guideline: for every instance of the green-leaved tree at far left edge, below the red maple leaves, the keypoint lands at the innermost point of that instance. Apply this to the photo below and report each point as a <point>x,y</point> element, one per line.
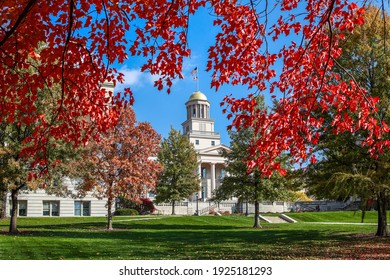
<point>18,172</point>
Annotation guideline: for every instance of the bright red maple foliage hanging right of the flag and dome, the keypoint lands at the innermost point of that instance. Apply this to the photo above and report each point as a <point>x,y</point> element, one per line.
<point>306,83</point>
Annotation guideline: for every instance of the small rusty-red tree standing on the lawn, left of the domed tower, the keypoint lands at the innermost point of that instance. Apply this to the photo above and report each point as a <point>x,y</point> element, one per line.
<point>121,163</point>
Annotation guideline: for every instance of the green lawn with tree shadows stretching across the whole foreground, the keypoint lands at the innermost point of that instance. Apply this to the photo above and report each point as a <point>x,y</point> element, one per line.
<point>191,237</point>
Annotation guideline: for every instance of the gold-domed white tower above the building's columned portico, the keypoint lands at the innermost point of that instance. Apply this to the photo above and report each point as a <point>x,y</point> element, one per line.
<point>199,127</point>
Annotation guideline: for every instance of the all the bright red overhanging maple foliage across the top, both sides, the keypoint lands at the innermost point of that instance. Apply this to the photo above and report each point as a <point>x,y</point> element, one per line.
<point>77,42</point>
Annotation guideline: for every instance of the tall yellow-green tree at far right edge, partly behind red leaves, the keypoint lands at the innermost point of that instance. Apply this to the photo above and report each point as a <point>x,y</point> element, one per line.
<point>347,167</point>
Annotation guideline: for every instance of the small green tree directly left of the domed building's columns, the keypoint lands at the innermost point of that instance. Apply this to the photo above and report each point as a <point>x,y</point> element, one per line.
<point>179,178</point>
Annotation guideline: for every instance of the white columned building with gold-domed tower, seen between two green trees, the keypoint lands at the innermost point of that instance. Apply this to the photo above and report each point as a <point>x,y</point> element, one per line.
<point>199,128</point>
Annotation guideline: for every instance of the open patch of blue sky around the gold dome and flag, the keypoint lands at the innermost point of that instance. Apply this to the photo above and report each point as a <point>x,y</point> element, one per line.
<point>164,111</point>
